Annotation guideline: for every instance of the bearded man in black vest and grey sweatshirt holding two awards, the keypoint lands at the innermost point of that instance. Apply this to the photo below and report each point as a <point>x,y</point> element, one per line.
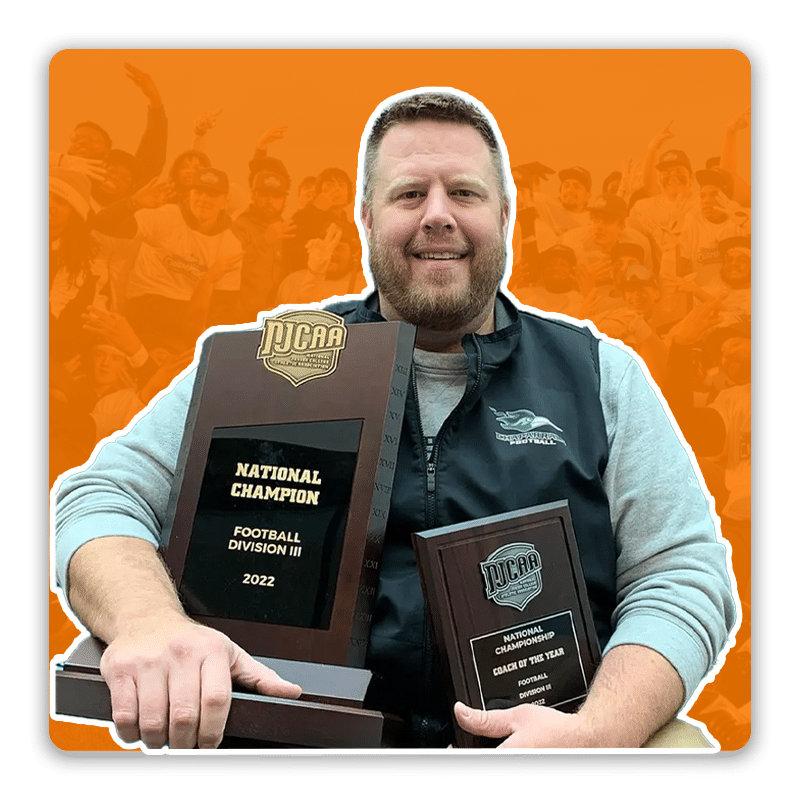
<point>435,212</point>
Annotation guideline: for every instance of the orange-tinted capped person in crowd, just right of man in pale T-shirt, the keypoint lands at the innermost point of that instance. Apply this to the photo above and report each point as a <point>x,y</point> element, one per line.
<point>262,231</point>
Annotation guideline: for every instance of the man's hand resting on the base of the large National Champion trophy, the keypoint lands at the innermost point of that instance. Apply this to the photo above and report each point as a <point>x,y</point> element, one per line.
<point>170,682</point>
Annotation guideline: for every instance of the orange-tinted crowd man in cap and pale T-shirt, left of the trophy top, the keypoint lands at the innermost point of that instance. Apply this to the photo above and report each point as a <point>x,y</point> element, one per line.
<point>187,272</point>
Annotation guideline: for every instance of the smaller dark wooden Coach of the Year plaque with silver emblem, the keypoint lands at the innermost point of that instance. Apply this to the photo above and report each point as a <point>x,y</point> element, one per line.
<point>508,604</point>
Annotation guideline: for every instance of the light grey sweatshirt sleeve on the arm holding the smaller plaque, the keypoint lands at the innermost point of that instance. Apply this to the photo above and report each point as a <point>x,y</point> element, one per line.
<point>673,568</point>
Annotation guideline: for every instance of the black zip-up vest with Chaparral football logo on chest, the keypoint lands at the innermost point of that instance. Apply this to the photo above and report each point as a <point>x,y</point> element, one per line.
<point>533,366</point>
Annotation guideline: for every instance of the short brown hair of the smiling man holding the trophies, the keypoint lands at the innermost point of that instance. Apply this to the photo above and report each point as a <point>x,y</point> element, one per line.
<point>438,107</point>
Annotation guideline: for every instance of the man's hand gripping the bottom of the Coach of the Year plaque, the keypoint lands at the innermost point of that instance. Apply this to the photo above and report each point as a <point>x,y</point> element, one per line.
<point>526,726</point>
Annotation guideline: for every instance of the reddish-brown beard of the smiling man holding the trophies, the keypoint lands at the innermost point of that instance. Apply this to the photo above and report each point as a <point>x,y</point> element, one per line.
<point>436,307</point>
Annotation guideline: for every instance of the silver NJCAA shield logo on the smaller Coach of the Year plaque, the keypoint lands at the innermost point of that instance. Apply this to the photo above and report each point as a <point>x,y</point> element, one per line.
<point>512,575</point>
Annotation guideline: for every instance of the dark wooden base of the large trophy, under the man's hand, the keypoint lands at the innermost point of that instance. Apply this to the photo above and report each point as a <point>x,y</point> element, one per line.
<point>329,714</point>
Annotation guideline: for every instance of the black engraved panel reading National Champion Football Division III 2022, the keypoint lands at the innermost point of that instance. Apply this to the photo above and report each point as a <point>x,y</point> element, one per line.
<point>270,523</point>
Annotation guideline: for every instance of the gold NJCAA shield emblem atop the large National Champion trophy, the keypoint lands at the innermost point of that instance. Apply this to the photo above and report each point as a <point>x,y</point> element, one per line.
<point>302,345</point>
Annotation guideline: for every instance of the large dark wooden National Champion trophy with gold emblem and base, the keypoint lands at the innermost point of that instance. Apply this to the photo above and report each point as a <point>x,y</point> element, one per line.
<point>277,517</point>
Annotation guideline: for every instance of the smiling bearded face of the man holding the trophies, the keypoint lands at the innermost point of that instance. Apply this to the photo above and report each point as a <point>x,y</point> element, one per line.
<point>437,224</point>
